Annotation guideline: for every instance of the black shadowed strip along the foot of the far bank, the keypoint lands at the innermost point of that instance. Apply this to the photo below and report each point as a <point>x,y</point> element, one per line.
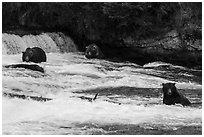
<point>134,54</point>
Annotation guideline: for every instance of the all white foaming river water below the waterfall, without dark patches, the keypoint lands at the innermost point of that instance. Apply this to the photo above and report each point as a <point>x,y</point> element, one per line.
<point>66,73</point>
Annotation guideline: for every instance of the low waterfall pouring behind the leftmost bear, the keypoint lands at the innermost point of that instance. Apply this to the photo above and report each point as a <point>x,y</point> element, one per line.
<point>49,42</point>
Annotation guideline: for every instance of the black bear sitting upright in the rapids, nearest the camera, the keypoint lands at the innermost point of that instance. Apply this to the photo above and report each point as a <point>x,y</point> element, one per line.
<point>171,95</point>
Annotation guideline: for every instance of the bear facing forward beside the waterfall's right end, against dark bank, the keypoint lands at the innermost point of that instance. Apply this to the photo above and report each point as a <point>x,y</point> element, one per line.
<point>93,51</point>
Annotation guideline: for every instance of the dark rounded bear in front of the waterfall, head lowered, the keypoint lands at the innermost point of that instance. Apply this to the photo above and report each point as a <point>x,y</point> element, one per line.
<point>35,54</point>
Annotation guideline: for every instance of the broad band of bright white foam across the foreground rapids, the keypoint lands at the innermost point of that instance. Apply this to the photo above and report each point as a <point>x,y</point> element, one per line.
<point>71,111</point>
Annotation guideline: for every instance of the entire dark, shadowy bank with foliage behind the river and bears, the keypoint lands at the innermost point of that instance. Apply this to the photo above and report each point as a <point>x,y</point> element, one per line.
<point>136,31</point>
